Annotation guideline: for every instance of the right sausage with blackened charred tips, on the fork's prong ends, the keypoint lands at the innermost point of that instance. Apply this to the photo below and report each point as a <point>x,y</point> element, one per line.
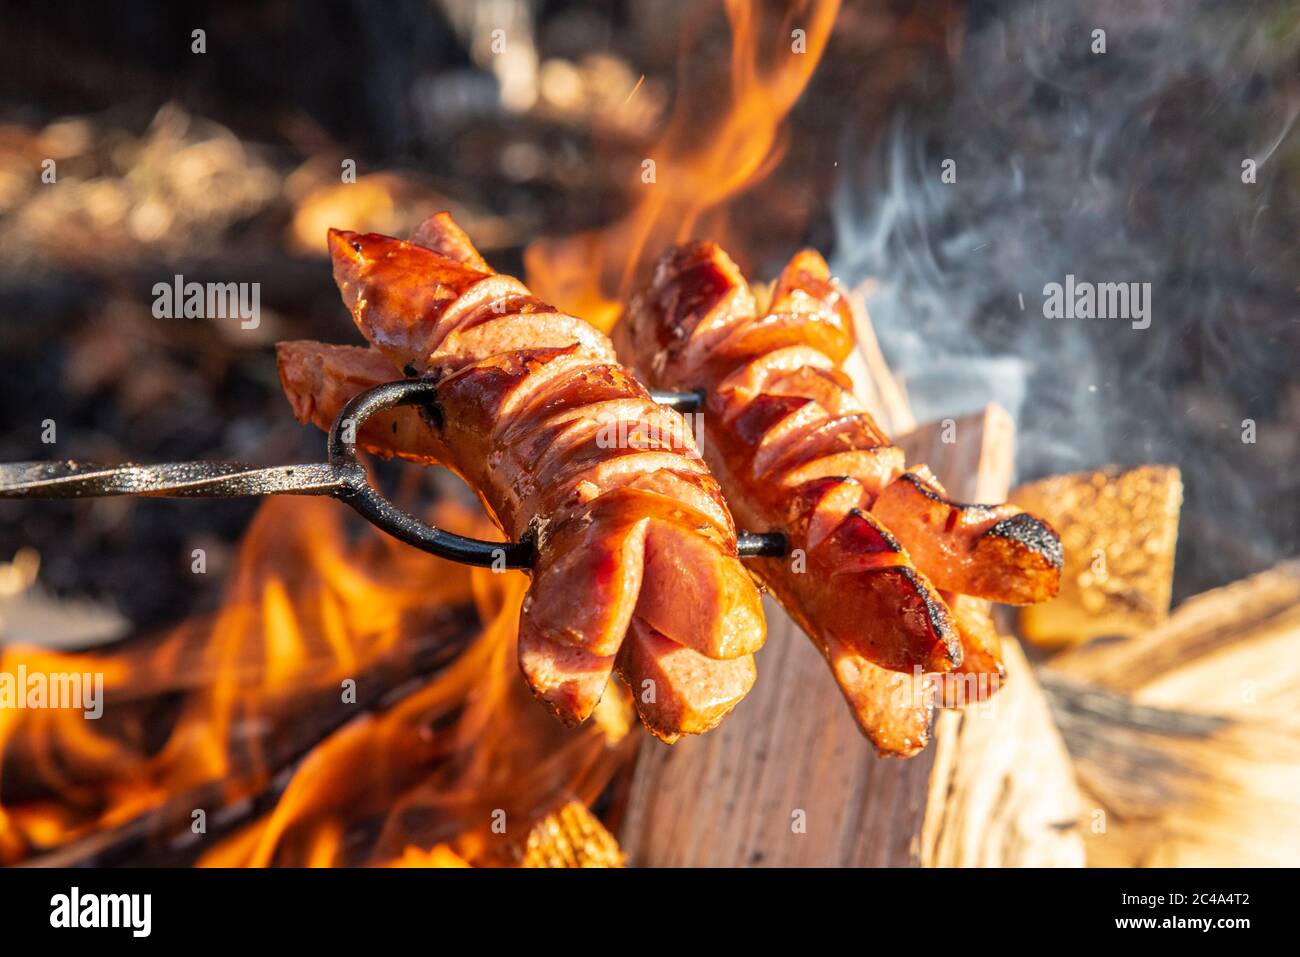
<point>796,452</point>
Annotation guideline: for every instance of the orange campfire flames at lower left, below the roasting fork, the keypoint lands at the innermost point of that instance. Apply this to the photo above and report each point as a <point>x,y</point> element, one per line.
<point>307,610</point>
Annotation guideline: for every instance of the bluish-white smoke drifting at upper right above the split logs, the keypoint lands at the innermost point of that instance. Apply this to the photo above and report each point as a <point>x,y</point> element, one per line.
<point>1117,167</point>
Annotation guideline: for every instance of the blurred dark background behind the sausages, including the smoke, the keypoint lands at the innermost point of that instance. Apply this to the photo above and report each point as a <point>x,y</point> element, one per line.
<point>226,166</point>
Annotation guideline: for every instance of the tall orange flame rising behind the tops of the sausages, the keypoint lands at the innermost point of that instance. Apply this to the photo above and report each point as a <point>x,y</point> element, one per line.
<point>699,166</point>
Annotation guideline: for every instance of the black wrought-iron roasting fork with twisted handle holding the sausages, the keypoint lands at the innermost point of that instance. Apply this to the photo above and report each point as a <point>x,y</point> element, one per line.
<point>343,478</point>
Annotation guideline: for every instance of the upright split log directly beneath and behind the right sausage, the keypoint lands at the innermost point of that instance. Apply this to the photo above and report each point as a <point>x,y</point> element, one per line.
<point>790,781</point>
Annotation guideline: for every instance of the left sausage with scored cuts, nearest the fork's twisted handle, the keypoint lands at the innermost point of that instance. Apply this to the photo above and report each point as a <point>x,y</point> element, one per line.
<point>636,549</point>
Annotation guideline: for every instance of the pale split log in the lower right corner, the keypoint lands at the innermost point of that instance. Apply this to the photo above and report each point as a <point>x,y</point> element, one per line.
<point>1188,741</point>
